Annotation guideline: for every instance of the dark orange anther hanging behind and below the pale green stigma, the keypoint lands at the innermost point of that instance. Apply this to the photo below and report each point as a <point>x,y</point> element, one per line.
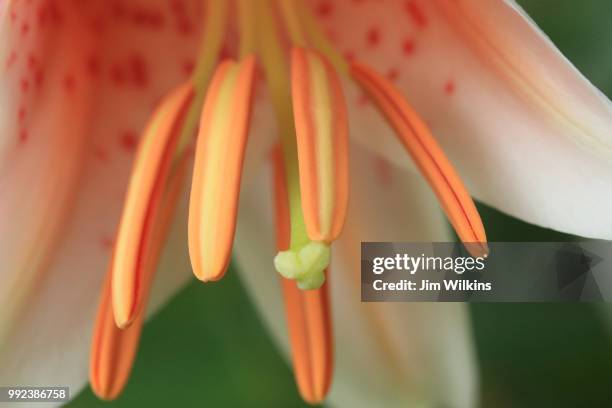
<point>308,313</point>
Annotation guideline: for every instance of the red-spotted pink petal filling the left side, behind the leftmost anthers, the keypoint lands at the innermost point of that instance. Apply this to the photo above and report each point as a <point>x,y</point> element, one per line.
<point>62,190</point>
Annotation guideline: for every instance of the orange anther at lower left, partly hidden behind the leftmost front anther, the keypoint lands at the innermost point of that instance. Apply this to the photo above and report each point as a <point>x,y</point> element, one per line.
<point>113,349</point>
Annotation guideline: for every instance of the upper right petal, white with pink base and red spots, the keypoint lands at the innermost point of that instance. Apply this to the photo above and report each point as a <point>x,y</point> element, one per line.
<point>528,133</point>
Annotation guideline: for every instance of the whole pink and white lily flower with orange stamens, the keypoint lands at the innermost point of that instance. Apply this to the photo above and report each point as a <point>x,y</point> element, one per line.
<point>82,80</point>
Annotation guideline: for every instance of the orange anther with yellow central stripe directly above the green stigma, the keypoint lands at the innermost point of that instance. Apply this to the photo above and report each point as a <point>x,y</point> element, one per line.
<point>322,143</point>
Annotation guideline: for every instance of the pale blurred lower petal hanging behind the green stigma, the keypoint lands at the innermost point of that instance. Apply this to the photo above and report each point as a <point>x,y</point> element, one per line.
<point>387,354</point>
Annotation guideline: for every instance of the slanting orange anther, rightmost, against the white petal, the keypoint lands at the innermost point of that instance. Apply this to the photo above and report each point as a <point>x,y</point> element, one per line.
<point>428,156</point>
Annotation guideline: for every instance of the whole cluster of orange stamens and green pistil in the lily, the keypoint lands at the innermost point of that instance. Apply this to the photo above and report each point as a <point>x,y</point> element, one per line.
<point>311,178</point>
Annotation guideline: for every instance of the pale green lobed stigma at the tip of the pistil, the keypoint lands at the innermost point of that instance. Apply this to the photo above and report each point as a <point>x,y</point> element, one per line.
<point>306,265</point>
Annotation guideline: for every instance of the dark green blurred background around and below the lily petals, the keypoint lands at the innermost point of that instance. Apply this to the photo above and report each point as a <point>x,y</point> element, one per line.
<point>550,355</point>
